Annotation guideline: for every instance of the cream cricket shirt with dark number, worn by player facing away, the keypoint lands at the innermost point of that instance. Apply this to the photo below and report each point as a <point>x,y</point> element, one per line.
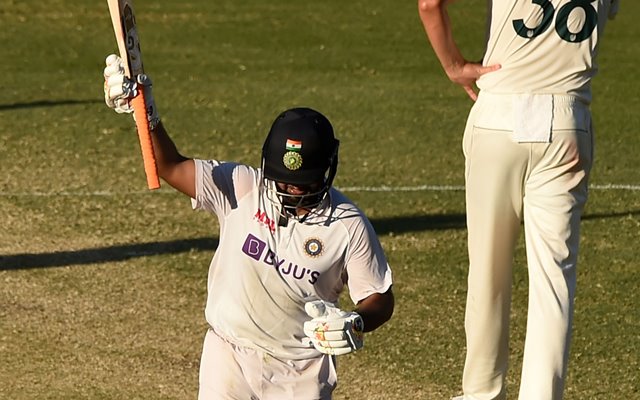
<point>544,46</point>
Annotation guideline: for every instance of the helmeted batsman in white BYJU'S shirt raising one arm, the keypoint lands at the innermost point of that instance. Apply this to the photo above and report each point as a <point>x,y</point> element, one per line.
<point>289,244</point>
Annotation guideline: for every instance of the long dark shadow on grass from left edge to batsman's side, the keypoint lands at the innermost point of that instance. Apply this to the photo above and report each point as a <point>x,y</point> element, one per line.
<point>104,254</point>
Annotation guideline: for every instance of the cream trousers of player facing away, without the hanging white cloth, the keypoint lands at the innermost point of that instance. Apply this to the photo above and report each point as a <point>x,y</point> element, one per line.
<point>544,186</point>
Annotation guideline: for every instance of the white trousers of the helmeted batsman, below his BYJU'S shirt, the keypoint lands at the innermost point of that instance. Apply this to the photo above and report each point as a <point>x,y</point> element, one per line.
<point>231,372</point>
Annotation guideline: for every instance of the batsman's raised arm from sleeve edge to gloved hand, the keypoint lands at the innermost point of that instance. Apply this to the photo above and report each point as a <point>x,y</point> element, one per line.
<point>174,168</point>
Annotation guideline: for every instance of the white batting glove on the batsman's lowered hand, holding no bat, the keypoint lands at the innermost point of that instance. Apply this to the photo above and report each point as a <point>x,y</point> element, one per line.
<point>332,330</point>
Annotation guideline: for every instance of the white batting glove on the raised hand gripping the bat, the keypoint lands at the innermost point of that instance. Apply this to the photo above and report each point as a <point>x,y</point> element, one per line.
<point>119,90</point>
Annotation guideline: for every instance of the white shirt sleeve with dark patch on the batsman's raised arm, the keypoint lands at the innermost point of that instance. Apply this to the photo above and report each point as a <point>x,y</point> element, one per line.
<point>221,185</point>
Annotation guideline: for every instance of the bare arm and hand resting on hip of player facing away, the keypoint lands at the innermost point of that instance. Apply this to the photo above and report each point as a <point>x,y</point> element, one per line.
<point>437,26</point>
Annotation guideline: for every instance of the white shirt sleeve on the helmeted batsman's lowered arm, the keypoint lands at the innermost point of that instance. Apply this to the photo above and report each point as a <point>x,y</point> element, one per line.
<point>368,271</point>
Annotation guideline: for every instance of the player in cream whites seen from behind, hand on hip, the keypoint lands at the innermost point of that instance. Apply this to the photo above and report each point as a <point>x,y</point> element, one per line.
<point>528,147</point>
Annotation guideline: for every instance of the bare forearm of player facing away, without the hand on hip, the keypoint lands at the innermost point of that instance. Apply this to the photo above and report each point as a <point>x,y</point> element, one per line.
<point>437,26</point>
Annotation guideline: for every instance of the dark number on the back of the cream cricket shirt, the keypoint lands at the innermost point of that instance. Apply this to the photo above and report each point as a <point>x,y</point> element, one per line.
<point>561,21</point>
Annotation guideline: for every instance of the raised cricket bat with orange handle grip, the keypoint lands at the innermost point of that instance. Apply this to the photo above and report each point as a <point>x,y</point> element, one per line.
<point>124,26</point>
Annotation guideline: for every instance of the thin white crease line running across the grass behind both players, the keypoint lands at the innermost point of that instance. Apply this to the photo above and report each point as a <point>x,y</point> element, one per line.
<point>384,188</point>
